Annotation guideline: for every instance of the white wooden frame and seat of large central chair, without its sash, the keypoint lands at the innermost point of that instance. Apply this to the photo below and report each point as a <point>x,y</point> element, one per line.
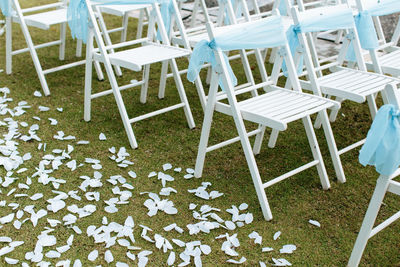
<point>275,109</point>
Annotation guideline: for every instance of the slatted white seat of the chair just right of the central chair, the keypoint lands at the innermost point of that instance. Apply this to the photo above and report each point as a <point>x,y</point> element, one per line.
<point>353,84</point>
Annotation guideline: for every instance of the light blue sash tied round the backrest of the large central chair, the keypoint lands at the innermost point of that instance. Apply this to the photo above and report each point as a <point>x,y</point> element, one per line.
<point>260,34</point>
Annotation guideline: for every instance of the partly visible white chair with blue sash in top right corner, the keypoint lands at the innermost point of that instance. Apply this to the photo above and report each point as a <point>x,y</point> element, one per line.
<point>372,38</point>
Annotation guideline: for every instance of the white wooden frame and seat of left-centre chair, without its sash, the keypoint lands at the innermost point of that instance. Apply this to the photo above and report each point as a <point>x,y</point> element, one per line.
<point>137,59</point>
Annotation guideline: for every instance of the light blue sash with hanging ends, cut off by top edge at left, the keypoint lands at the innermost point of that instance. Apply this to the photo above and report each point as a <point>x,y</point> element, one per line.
<point>78,14</point>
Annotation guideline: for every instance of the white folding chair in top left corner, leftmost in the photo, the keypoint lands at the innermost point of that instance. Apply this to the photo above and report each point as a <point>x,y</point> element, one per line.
<point>41,19</point>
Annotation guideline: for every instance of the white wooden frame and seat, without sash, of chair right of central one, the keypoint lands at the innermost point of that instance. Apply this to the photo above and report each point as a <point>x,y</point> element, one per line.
<point>341,83</point>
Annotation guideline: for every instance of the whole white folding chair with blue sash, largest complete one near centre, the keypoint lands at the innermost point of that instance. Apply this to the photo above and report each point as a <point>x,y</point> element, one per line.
<point>274,109</point>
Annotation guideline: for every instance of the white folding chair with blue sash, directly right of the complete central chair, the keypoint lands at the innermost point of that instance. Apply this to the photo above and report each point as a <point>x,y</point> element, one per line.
<point>341,83</point>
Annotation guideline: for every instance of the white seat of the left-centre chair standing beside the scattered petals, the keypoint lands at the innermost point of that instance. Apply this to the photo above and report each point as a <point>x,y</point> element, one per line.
<point>136,58</point>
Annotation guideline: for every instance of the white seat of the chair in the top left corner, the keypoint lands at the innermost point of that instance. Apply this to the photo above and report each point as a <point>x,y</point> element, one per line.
<point>45,20</point>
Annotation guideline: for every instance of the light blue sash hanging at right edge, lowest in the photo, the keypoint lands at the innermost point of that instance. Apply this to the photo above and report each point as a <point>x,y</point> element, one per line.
<point>382,147</point>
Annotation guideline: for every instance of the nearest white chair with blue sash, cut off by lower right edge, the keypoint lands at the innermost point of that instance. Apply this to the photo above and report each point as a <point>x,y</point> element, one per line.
<point>385,129</point>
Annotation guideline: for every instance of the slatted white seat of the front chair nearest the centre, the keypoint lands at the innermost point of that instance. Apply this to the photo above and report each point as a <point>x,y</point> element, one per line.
<point>277,108</point>
